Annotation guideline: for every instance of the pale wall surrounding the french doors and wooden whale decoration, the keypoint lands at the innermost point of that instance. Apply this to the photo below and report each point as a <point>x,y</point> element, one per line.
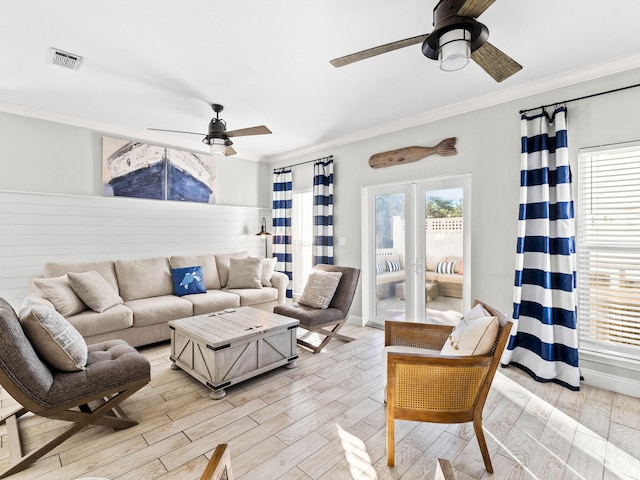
<point>488,148</point>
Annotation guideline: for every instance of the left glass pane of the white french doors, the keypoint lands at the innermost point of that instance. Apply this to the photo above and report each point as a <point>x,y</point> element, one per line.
<point>390,256</point>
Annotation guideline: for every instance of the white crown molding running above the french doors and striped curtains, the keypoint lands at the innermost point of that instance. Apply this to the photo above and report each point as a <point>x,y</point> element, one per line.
<point>511,94</point>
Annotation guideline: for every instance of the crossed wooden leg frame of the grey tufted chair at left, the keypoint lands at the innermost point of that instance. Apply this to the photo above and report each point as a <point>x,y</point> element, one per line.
<point>107,413</point>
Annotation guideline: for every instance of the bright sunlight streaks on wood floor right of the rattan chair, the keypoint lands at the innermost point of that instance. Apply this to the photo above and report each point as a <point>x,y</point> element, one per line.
<point>566,432</point>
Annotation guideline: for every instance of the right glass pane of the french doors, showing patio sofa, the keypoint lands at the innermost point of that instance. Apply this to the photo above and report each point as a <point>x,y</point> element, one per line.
<point>444,255</point>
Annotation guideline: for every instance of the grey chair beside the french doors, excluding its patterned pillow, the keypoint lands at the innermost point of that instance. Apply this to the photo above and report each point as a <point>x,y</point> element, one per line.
<point>325,322</point>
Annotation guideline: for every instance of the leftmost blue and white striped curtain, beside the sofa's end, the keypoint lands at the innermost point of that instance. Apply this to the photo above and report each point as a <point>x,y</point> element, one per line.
<point>282,203</point>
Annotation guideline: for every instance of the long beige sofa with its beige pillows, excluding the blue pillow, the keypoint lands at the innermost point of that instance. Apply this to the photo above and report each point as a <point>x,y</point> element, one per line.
<point>139,294</point>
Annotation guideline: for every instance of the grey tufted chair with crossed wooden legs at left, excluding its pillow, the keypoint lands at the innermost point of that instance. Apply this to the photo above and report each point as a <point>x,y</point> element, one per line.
<point>113,372</point>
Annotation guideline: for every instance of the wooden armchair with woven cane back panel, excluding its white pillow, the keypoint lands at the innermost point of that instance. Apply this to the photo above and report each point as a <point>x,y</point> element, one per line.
<point>433,388</point>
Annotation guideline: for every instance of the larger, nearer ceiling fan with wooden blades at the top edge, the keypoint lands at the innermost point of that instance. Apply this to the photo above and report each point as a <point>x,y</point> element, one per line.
<point>456,36</point>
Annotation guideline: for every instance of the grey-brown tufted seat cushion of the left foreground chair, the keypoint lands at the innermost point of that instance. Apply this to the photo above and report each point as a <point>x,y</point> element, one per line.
<point>109,365</point>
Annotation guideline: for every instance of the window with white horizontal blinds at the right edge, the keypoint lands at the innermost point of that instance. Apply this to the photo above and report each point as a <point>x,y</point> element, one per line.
<point>609,250</point>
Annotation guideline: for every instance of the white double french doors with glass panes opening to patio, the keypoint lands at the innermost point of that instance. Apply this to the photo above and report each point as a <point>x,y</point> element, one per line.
<point>416,251</point>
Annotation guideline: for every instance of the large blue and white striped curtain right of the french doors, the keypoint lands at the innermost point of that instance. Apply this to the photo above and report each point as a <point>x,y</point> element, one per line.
<point>544,340</point>
